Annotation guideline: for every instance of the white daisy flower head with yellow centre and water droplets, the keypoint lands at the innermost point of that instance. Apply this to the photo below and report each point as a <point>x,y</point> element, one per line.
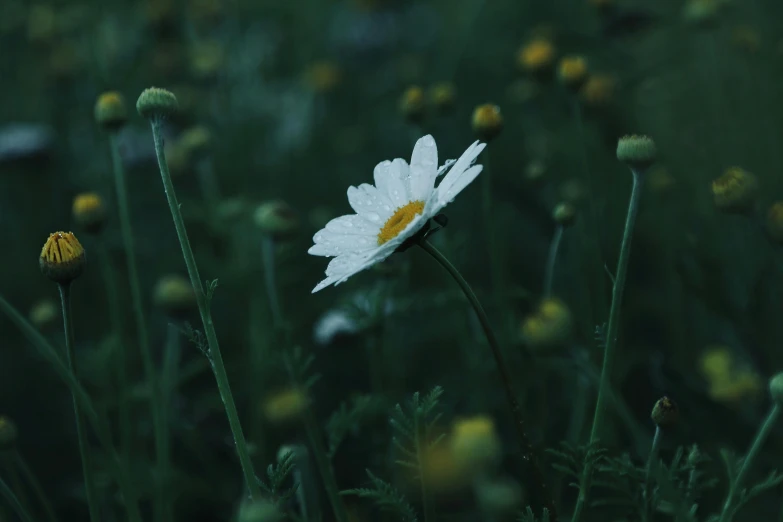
<point>400,203</point>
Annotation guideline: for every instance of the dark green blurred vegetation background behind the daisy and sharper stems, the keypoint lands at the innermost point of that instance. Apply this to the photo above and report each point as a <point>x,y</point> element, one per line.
<point>291,103</point>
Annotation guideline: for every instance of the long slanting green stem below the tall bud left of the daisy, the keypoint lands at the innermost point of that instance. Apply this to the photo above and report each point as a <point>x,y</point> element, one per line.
<point>206,315</point>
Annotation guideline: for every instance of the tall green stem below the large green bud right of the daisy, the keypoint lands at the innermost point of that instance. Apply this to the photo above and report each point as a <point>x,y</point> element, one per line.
<point>611,335</point>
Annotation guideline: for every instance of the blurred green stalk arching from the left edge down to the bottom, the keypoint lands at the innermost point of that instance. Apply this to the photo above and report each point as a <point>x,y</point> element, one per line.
<point>102,431</point>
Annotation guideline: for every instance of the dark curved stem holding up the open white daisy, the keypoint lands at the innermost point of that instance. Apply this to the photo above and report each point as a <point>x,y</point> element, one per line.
<point>527,449</point>
